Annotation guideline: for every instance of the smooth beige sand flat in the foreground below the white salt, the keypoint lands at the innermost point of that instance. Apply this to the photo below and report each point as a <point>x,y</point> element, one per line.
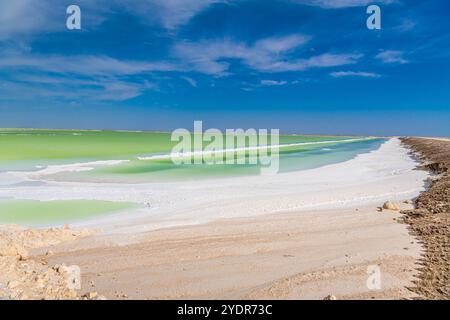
<point>283,256</point>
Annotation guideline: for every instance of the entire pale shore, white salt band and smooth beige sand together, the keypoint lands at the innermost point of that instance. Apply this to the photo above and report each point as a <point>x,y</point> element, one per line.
<point>304,234</point>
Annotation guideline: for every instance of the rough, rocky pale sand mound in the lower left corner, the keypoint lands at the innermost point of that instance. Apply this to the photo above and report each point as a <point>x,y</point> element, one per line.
<point>23,277</point>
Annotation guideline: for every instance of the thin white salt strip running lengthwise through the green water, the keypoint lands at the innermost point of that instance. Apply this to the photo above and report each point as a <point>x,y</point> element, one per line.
<point>254,148</point>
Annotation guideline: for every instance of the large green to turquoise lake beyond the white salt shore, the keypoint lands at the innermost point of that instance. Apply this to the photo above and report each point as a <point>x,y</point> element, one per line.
<point>23,149</point>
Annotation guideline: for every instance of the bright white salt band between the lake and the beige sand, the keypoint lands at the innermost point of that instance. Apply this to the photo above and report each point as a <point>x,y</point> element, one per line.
<point>382,174</point>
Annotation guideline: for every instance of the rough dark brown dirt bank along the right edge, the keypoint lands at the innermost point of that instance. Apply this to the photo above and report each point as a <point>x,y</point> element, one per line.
<point>430,220</point>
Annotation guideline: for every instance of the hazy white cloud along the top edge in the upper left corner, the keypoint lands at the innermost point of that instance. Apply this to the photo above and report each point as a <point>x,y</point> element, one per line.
<point>30,17</point>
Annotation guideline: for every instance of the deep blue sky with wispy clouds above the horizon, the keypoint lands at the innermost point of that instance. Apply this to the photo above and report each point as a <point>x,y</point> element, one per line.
<point>305,66</point>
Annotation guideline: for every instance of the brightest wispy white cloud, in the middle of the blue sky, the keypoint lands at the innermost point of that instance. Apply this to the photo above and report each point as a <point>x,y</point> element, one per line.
<point>266,55</point>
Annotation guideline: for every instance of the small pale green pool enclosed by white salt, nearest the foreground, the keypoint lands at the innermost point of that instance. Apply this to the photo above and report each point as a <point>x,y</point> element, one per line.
<point>28,212</point>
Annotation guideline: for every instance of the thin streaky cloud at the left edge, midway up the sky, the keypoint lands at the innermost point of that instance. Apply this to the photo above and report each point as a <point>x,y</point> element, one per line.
<point>97,78</point>
